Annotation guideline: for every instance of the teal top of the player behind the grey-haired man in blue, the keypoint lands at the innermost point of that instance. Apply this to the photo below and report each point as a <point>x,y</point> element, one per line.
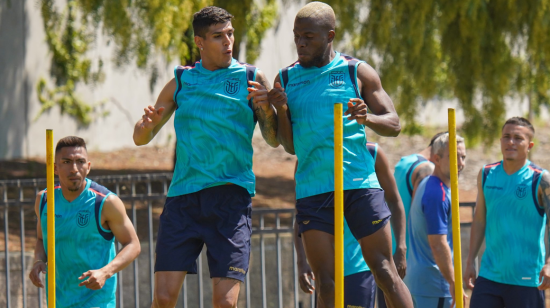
<point>402,174</point>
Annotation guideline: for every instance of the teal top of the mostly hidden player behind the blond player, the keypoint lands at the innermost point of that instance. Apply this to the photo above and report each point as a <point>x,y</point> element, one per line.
<point>353,256</point>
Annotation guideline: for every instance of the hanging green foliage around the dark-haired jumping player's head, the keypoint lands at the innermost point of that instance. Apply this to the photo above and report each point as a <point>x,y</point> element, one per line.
<point>138,29</point>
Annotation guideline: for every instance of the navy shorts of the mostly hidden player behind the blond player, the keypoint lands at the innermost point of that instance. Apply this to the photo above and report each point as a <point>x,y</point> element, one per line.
<point>360,290</point>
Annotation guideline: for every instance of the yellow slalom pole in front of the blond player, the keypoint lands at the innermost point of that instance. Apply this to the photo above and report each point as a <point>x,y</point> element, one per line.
<point>338,206</point>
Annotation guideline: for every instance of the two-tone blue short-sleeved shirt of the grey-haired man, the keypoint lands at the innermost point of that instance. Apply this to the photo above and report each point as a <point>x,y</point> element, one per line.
<point>430,214</point>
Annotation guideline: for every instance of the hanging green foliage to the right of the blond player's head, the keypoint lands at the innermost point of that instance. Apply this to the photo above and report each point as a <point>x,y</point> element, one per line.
<point>478,51</point>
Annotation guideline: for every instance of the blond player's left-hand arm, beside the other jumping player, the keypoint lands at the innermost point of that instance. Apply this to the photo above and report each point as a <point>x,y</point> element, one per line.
<point>277,97</point>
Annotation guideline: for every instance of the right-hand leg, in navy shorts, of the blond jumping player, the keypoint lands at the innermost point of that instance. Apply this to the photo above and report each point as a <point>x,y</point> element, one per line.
<point>368,215</point>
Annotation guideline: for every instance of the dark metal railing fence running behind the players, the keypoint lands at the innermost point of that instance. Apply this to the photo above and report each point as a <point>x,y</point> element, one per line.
<point>272,281</point>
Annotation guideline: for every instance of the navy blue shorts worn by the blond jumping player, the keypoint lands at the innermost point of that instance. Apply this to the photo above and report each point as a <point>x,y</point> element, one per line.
<point>365,211</point>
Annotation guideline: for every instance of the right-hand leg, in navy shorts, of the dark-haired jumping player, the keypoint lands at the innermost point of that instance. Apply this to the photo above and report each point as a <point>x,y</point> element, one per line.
<point>227,230</point>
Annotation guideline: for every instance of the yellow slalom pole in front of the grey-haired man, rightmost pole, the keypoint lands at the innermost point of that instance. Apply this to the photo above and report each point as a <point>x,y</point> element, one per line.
<point>455,210</point>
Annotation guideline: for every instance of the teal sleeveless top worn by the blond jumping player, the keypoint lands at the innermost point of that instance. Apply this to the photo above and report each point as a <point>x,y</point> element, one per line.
<point>312,93</point>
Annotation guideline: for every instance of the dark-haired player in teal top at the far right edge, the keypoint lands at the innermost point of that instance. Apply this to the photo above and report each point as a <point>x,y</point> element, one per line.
<point>512,206</point>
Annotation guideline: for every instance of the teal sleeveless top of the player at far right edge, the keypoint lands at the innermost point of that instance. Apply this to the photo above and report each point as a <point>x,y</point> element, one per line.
<point>514,231</point>
